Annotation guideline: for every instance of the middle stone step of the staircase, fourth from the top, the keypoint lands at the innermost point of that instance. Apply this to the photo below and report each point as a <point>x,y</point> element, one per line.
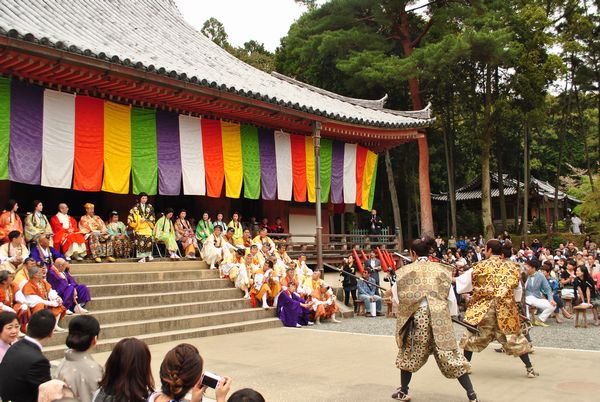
<point>161,298</point>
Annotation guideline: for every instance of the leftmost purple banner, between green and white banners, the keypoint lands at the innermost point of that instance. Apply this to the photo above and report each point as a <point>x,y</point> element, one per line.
<point>26,133</point>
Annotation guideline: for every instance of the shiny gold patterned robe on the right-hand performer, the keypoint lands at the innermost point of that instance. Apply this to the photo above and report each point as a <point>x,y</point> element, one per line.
<point>495,279</point>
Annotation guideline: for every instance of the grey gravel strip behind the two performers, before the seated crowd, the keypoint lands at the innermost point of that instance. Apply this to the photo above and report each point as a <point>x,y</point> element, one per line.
<point>563,336</point>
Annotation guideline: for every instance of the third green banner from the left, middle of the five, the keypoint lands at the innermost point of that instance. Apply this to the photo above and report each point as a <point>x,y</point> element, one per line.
<point>251,160</point>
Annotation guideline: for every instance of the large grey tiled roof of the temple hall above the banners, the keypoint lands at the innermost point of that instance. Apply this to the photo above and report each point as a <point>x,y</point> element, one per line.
<point>151,35</point>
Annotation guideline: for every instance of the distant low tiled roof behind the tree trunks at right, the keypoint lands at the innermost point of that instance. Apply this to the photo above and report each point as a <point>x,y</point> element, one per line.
<point>472,190</point>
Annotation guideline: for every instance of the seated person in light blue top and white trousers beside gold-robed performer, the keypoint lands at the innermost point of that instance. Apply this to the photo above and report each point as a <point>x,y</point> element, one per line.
<point>538,292</point>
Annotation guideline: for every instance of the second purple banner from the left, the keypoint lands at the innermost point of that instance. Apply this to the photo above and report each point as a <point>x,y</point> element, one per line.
<point>169,157</point>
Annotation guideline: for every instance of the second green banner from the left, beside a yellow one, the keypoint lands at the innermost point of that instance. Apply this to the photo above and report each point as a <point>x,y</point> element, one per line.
<point>144,159</point>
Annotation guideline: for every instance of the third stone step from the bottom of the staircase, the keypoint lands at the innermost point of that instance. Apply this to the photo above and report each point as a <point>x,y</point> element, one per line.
<point>125,314</point>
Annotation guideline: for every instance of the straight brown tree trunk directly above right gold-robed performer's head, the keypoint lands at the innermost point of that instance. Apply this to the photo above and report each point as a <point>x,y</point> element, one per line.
<point>486,199</point>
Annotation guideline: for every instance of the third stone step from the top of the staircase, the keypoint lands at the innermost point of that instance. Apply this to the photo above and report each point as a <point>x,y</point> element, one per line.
<point>157,287</point>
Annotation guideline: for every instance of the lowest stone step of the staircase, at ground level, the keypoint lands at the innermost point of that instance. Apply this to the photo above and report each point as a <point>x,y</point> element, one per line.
<point>105,345</point>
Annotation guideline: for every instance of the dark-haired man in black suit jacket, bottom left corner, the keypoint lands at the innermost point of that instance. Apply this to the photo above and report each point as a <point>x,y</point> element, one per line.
<point>24,367</point>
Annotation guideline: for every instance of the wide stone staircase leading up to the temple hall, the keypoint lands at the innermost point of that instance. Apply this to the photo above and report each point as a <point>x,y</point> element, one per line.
<point>161,301</point>
